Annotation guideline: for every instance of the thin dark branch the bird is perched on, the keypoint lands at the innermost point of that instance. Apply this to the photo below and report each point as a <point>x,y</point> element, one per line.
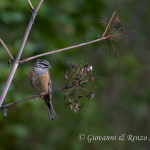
<point>32,97</point>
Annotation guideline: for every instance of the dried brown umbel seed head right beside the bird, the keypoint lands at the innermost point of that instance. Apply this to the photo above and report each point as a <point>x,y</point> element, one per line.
<point>79,80</point>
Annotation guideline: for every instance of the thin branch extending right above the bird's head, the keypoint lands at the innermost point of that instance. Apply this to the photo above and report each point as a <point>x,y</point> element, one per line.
<point>64,49</point>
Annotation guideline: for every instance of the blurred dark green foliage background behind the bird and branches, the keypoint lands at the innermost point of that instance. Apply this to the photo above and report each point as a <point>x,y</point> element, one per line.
<point>122,101</point>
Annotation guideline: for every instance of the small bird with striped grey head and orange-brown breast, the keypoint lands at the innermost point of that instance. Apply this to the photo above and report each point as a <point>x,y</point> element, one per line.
<point>40,80</point>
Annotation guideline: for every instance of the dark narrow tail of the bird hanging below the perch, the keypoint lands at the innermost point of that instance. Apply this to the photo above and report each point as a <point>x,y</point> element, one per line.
<point>51,111</point>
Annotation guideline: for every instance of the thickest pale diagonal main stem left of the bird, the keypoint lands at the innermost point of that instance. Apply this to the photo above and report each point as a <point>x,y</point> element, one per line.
<point>16,62</point>
